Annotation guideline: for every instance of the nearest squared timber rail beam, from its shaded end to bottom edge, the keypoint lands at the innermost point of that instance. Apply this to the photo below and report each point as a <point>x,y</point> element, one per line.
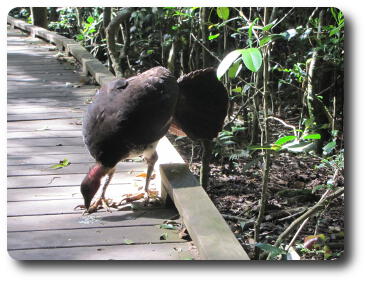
<point>205,224</point>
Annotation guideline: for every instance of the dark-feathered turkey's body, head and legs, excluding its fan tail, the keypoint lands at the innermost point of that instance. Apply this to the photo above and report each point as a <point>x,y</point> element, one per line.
<point>127,119</point>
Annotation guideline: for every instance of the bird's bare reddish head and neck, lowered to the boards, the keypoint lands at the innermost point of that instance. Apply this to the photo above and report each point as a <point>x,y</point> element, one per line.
<point>91,183</point>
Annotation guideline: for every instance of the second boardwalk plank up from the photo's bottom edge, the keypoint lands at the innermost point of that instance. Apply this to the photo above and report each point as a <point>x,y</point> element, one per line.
<point>89,237</point>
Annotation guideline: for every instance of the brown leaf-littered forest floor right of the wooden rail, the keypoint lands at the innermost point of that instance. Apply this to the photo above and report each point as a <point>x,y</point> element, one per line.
<point>235,189</point>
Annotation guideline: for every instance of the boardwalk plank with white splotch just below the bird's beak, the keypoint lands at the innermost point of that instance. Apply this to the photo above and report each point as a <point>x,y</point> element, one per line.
<point>99,219</point>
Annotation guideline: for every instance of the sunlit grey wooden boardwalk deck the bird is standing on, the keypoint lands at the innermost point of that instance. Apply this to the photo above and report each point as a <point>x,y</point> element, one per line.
<point>45,106</point>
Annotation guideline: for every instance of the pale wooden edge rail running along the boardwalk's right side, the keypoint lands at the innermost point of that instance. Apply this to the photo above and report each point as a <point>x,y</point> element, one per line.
<point>205,224</point>
